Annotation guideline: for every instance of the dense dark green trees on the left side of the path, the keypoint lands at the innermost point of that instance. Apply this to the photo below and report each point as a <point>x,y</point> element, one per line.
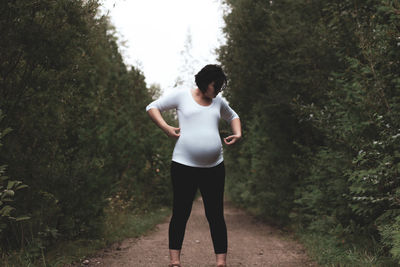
<point>80,136</point>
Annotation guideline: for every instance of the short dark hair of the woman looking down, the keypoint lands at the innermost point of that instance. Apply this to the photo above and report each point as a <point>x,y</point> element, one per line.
<point>208,74</point>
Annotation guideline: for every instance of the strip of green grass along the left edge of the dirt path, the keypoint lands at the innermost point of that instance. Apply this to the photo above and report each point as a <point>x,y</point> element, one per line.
<point>118,226</point>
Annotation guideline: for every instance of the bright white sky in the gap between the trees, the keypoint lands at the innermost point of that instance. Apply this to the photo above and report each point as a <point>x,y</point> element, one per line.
<point>154,33</point>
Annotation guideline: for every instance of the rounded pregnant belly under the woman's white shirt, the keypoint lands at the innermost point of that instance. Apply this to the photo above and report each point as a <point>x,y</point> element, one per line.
<point>200,148</point>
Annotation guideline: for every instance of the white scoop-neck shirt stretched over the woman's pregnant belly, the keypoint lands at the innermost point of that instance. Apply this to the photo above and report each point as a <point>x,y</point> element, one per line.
<point>199,143</point>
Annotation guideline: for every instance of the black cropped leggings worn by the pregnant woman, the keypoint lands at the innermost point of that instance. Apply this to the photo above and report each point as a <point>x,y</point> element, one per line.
<point>211,182</point>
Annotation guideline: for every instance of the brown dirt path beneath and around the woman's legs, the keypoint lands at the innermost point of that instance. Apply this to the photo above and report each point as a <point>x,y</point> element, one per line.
<point>250,243</point>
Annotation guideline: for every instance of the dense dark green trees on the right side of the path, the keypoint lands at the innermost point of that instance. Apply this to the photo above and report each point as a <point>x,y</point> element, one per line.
<point>317,86</point>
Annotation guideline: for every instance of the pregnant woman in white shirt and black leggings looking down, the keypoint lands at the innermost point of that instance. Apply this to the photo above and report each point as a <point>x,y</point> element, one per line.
<point>197,160</point>
